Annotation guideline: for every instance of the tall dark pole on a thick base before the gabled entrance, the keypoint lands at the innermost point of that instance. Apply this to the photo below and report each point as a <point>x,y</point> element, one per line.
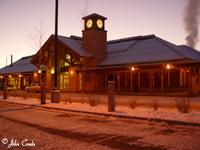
<point>55,94</point>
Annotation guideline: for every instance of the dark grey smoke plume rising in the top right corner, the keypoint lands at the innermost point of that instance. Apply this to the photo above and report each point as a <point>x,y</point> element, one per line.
<point>191,21</point>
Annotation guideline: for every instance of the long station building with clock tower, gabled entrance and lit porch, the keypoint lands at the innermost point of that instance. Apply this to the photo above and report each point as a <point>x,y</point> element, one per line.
<point>136,64</point>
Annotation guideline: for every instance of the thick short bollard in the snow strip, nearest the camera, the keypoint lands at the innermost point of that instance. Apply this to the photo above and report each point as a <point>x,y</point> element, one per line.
<point>111,96</point>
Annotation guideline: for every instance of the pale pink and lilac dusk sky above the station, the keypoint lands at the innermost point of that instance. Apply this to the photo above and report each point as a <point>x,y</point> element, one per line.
<point>126,18</point>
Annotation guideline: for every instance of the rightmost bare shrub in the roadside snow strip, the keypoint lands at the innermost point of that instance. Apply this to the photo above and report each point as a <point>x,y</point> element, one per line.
<point>183,104</point>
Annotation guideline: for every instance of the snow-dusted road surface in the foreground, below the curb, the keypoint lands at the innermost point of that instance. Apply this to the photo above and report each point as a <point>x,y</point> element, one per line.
<point>56,129</point>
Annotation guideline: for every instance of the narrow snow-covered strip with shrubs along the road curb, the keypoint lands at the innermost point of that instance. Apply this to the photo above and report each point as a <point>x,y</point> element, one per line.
<point>162,113</point>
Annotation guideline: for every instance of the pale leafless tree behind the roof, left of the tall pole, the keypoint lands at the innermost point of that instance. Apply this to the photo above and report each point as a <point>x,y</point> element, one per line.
<point>36,38</point>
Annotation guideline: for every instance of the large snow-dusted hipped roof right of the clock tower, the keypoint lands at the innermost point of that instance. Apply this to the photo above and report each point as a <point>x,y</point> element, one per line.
<point>146,49</point>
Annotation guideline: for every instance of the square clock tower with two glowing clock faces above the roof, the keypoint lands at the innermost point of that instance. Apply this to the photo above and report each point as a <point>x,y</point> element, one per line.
<point>95,38</point>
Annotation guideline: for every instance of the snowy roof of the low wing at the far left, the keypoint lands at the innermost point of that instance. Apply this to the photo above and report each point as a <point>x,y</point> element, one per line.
<point>22,65</point>
